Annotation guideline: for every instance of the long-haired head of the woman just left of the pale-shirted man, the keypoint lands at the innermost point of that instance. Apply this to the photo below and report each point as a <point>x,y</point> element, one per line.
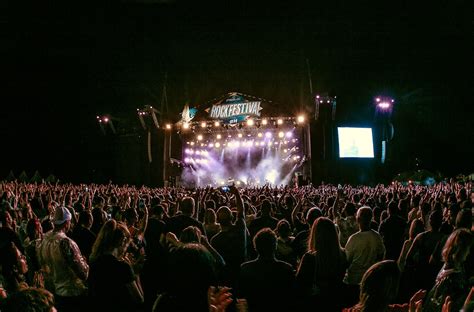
<point>323,238</point>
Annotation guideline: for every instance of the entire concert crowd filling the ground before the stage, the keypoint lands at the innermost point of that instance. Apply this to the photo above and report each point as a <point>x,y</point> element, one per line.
<point>346,248</point>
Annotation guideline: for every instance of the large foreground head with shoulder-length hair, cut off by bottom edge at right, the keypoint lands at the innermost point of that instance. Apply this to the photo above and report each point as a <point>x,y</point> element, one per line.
<point>379,286</point>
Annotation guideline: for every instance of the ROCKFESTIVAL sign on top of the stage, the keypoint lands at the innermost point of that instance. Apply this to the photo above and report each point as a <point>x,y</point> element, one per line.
<point>235,109</point>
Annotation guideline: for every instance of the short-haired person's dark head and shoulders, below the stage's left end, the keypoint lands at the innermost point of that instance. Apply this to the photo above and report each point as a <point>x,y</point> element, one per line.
<point>179,222</point>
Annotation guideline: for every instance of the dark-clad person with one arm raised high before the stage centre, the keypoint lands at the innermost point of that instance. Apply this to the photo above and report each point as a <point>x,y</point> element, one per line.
<point>231,241</point>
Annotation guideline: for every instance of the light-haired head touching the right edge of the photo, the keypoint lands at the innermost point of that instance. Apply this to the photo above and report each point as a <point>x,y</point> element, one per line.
<point>457,247</point>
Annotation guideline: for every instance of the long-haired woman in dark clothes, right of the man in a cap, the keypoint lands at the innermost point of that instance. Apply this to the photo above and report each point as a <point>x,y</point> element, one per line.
<point>112,281</point>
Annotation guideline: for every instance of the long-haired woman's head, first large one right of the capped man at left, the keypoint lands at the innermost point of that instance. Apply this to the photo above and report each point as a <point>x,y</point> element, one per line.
<point>113,238</point>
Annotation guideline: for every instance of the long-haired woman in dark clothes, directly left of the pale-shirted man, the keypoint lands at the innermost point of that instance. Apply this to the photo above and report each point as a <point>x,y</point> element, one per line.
<point>322,268</point>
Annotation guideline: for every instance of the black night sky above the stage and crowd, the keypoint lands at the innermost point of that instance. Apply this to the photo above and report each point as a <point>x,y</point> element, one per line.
<point>64,65</point>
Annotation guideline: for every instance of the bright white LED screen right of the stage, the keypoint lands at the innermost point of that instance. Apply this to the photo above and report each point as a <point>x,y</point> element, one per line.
<point>355,142</point>
